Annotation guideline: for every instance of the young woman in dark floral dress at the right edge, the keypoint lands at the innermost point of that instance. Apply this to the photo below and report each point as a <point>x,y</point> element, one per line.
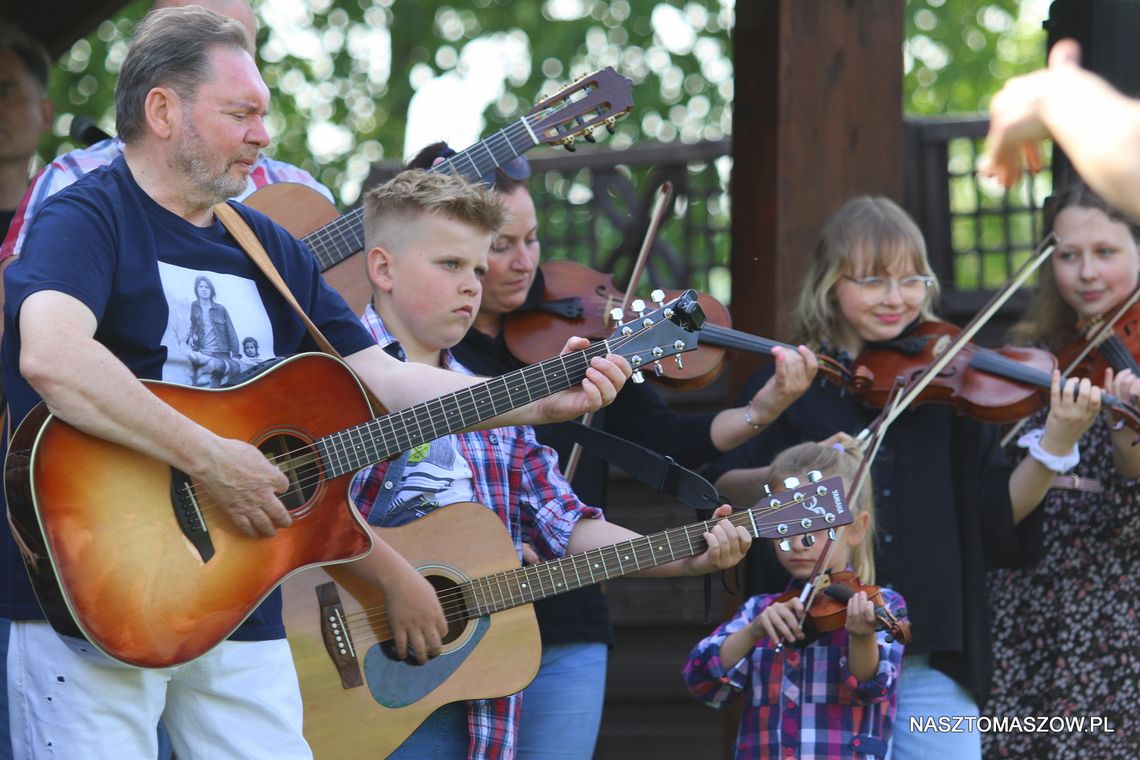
<point>1063,643</point>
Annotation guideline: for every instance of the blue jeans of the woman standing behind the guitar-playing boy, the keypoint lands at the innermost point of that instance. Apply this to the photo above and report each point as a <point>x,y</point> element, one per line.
<point>563,707</point>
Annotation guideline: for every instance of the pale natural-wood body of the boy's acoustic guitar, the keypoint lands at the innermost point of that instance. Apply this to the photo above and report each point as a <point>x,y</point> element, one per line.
<point>367,706</point>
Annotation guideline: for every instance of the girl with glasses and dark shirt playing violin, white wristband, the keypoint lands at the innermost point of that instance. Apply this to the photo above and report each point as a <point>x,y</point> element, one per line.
<point>950,505</point>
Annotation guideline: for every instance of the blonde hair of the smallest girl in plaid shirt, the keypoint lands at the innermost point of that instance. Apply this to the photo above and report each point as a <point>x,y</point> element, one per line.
<point>800,460</point>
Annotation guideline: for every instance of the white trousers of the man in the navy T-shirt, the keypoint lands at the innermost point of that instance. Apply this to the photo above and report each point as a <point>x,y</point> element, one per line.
<point>69,701</point>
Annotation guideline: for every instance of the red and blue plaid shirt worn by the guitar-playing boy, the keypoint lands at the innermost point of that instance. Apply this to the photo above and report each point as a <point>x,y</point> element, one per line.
<point>519,479</point>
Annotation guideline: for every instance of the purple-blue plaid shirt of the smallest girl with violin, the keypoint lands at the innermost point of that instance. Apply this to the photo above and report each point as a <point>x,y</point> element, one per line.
<point>803,704</point>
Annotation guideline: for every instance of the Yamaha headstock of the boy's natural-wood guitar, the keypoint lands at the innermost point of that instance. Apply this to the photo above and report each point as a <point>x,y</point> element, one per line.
<point>819,504</point>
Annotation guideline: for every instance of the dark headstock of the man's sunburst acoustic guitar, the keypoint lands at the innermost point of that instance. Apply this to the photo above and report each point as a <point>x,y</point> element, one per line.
<point>669,331</point>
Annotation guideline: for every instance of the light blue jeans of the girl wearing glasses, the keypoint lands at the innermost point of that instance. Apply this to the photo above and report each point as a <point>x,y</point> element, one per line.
<point>927,693</point>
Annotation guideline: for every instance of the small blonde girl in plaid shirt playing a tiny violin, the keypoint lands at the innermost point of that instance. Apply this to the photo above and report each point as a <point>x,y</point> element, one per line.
<point>821,694</point>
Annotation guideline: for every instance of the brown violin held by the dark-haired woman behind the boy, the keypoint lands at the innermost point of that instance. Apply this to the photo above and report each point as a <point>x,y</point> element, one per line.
<point>580,301</point>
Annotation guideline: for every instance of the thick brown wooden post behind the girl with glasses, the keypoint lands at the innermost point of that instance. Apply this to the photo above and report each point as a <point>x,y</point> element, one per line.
<point>818,119</point>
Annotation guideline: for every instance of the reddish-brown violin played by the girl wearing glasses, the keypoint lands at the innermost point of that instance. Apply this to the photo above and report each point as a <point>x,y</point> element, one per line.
<point>992,386</point>
